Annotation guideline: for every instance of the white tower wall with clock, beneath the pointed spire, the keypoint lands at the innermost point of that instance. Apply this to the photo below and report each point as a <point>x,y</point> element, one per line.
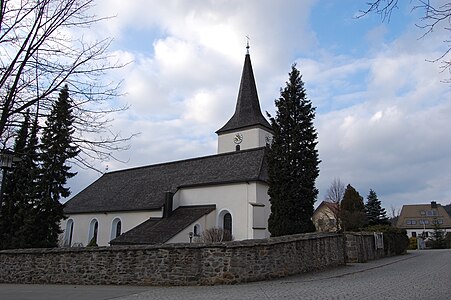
<point>252,138</point>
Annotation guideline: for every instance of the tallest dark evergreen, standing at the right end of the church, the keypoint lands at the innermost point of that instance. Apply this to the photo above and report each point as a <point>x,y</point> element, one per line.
<point>292,161</point>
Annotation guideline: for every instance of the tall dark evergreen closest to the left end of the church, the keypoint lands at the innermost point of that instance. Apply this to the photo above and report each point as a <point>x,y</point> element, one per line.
<point>56,149</point>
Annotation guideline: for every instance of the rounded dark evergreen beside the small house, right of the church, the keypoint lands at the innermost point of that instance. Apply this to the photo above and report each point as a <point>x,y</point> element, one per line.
<point>352,210</point>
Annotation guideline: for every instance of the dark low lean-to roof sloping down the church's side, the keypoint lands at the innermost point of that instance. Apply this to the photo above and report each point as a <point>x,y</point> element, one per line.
<point>159,231</point>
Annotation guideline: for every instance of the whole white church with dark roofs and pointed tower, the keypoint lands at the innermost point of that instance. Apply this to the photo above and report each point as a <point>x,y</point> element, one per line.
<point>175,201</point>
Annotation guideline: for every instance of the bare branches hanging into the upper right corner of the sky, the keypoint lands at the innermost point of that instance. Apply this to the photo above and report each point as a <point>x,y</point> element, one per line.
<point>434,16</point>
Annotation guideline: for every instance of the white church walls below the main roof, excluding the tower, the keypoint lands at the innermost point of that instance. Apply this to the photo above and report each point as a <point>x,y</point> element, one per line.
<point>248,204</point>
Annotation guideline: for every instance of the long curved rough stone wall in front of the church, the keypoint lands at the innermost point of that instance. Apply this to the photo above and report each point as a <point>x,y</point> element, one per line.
<point>175,264</point>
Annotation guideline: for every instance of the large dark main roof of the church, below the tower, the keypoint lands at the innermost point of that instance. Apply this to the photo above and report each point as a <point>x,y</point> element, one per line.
<point>144,188</point>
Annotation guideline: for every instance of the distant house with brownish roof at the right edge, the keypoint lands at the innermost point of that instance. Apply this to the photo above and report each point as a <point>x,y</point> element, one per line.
<point>419,219</point>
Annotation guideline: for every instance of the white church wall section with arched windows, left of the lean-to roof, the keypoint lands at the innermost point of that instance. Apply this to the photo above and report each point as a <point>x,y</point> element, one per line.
<point>81,224</point>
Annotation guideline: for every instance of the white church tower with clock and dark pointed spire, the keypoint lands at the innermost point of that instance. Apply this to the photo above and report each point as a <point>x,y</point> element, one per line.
<point>247,128</point>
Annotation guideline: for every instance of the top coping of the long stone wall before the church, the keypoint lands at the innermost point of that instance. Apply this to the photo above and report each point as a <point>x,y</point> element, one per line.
<point>225,245</point>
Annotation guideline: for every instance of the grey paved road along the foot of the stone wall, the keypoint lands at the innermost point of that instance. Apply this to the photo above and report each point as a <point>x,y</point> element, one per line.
<point>418,275</point>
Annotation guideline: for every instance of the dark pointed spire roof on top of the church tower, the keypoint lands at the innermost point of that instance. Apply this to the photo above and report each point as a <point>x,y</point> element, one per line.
<point>247,111</point>
